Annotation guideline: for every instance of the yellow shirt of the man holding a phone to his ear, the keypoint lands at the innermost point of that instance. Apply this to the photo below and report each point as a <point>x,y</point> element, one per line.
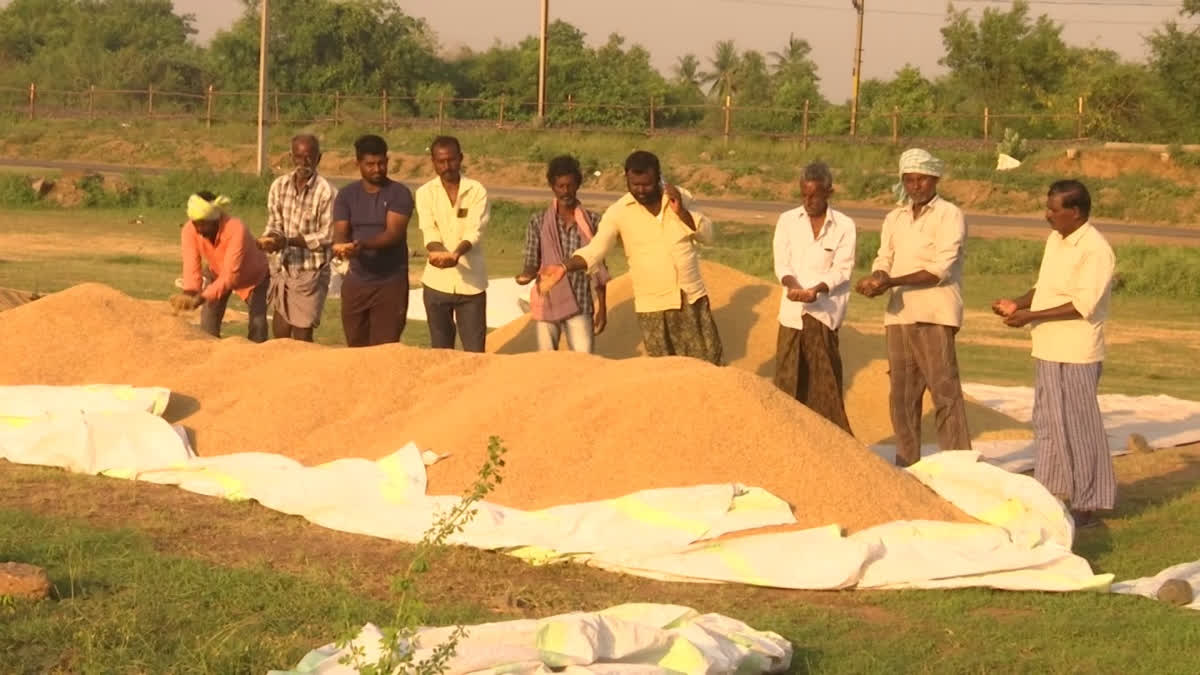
<point>662,250</point>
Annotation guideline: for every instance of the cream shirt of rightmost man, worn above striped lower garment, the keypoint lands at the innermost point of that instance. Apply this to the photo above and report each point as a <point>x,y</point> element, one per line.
<point>1076,270</point>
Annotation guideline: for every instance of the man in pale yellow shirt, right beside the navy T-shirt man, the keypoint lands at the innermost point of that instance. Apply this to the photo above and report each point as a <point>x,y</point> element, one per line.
<point>453,212</point>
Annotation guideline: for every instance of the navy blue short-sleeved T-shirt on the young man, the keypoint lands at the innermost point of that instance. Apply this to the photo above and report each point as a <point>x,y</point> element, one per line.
<point>368,216</point>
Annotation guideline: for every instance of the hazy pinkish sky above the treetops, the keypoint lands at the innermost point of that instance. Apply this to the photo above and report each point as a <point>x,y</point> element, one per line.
<point>897,32</point>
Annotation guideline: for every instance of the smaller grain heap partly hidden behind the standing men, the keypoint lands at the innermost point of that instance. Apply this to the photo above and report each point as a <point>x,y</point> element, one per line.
<point>747,312</point>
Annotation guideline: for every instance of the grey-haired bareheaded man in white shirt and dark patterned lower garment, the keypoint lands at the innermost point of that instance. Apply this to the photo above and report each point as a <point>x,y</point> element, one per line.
<point>814,259</point>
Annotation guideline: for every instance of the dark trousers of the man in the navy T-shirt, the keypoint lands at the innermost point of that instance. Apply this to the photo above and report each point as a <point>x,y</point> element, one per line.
<point>374,313</point>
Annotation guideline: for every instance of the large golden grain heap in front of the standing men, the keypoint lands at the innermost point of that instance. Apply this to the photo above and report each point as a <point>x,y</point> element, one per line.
<point>578,427</point>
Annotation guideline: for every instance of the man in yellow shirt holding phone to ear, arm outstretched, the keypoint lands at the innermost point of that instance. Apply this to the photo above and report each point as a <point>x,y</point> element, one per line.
<point>659,231</point>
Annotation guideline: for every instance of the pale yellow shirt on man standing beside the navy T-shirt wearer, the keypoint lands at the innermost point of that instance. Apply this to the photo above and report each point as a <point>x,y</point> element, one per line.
<point>452,224</point>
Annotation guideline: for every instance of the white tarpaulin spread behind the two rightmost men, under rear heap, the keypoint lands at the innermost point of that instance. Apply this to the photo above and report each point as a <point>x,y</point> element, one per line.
<point>1166,422</point>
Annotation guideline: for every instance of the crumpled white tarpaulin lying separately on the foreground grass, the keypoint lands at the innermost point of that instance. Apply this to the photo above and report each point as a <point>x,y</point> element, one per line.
<point>626,640</point>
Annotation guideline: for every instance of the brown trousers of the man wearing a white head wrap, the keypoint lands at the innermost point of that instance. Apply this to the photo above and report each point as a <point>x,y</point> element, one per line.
<point>922,356</point>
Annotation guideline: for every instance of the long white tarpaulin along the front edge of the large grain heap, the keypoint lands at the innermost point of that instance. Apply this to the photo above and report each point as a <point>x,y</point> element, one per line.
<point>1022,542</point>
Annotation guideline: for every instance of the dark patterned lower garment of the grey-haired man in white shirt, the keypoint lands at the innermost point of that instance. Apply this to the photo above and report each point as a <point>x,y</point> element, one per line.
<point>808,368</point>
